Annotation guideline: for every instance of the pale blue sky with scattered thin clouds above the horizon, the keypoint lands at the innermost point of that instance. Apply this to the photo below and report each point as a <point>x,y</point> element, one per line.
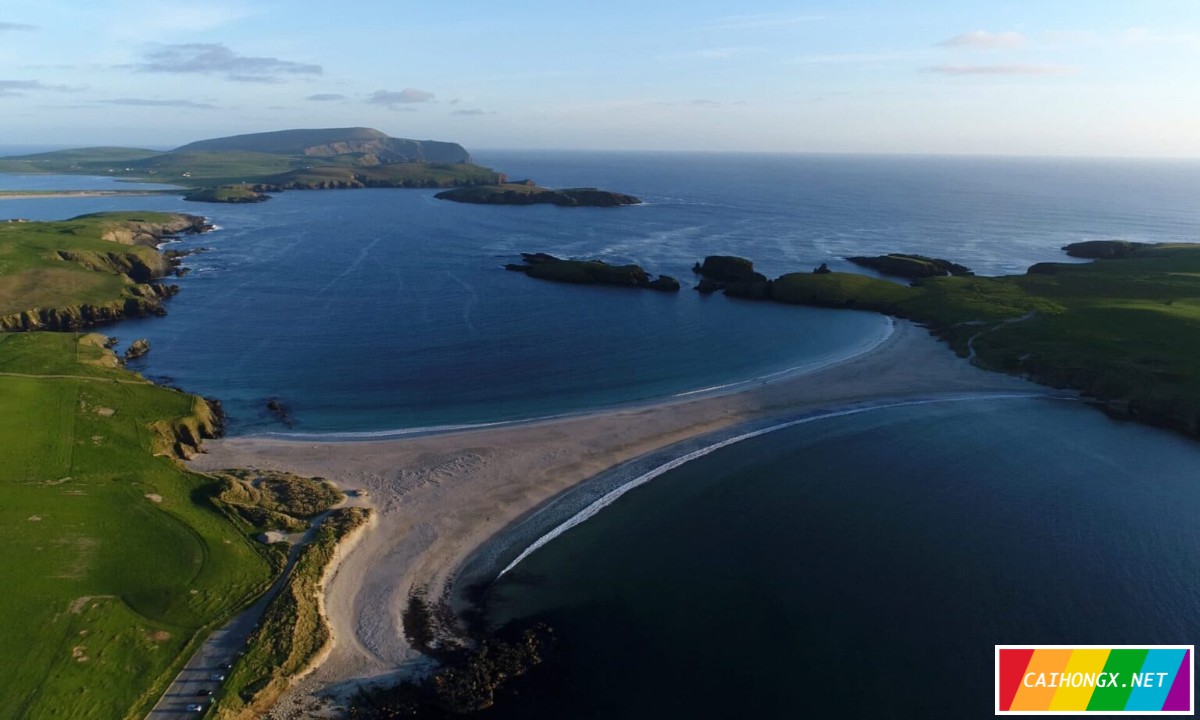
<point>1053,77</point>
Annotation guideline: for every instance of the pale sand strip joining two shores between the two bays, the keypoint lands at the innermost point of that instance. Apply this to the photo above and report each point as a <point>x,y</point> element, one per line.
<point>441,497</point>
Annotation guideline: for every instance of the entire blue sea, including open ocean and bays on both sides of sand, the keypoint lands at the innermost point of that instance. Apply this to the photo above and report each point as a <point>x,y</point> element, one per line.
<point>827,569</point>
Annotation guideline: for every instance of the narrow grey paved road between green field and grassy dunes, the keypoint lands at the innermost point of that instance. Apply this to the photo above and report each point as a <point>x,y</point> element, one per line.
<point>221,649</point>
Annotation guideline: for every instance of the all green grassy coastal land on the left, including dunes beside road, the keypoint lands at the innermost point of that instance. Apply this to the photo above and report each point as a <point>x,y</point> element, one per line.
<point>121,560</point>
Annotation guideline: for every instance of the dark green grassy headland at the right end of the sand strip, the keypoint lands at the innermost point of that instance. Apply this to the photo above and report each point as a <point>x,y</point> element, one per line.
<point>1126,331</point>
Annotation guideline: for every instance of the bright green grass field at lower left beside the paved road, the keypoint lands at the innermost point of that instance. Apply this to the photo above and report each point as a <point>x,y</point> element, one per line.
<point>116,559</point>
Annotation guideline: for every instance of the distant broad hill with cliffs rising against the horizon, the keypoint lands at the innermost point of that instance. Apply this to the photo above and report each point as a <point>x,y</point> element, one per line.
<point>371,146</point>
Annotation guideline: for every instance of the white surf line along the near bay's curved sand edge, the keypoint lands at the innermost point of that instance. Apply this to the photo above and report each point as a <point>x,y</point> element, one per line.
<point>613,496</point>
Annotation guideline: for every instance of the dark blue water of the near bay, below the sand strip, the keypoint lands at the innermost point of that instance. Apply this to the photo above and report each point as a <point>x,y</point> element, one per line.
<point>865,566</point>
